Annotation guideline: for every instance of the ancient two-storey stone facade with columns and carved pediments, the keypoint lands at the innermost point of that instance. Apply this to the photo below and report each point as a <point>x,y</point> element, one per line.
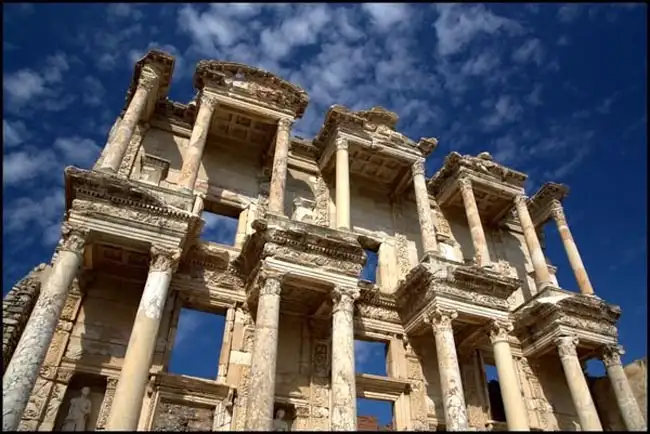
<point>462,280</point>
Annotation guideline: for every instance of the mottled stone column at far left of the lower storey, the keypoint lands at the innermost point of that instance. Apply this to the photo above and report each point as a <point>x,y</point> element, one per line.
<point>20,376</point>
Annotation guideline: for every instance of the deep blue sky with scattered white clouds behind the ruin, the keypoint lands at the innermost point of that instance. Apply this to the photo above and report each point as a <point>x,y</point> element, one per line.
<point>557,91</point>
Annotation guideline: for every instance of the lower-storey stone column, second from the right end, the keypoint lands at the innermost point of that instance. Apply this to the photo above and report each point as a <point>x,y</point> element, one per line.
<point>578,387</point>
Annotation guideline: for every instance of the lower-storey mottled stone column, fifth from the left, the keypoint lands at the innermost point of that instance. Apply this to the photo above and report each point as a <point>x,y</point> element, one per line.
<point>453,398</point>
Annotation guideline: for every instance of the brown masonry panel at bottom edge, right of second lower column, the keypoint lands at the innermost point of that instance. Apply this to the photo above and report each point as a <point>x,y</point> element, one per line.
<point>176,415</point>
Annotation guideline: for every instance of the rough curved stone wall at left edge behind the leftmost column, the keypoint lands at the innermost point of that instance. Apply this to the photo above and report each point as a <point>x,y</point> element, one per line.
<point>17,306</point>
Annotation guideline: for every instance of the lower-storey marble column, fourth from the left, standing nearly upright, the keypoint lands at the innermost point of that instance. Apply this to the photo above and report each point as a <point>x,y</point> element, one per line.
<point>344,387</point>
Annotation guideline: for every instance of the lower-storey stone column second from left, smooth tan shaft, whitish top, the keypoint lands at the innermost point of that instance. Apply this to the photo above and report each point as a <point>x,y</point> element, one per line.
<point>134,376</point>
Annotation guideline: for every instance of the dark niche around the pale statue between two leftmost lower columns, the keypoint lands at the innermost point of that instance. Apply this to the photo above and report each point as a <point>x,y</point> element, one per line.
<point>97,386</point>
